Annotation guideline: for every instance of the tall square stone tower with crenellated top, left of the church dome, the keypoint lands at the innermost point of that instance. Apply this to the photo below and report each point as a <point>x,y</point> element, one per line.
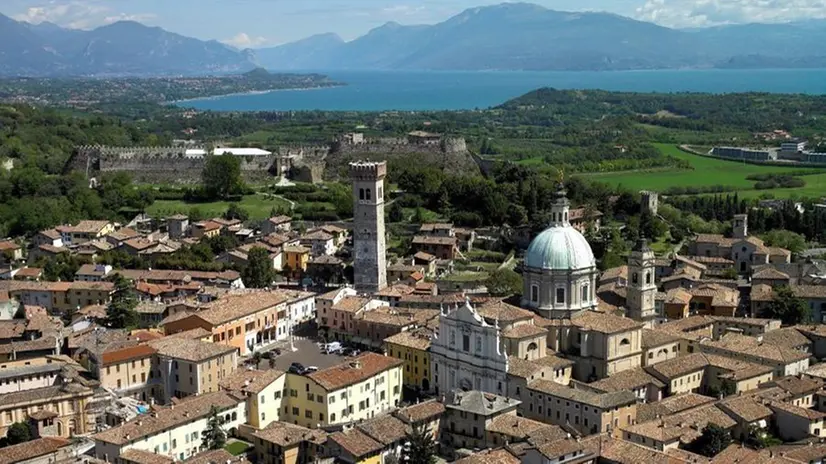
<point>370,263</point>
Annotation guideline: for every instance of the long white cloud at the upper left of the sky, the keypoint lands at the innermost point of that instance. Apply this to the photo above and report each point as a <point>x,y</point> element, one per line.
<point>78,14</point>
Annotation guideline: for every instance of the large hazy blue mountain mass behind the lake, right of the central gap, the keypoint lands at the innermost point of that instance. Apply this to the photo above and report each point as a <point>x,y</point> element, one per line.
<point>522,36</point>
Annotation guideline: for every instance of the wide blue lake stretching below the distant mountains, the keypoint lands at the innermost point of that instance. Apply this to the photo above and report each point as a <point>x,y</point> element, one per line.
<point>456,90</point>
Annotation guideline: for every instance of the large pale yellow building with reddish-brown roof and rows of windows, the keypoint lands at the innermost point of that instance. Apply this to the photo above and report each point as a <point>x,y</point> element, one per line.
<point>358,389</point>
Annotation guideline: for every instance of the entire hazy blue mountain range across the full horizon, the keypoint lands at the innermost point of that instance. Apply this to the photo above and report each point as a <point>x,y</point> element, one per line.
<point>510,36</point>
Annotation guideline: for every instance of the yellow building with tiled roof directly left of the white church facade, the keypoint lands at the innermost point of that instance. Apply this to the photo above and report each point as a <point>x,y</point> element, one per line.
<point>412,347</point>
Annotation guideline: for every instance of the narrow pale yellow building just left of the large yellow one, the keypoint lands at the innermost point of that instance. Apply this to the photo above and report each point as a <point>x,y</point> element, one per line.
<point>263,391</point>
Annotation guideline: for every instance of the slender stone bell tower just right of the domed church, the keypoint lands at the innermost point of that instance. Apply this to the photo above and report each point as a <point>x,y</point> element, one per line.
<point>642,288</point>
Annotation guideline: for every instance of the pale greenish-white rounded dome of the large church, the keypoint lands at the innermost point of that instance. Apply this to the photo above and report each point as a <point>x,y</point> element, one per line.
<point>560,248</point>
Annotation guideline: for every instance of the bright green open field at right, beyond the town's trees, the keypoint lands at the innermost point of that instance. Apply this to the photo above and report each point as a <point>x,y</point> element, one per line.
<point>710,172</point>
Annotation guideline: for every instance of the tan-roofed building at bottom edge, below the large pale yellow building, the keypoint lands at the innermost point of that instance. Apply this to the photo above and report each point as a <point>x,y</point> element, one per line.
<point>282,443</point>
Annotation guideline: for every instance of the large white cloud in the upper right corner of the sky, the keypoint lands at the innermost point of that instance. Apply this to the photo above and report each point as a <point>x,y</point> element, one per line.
<point>696,13</point>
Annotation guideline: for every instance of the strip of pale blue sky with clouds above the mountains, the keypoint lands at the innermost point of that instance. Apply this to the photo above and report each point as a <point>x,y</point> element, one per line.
<point>258,23</point>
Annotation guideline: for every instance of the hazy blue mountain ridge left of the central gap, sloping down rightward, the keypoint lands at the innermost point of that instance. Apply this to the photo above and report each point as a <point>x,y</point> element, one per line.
<point>121,48</point>
